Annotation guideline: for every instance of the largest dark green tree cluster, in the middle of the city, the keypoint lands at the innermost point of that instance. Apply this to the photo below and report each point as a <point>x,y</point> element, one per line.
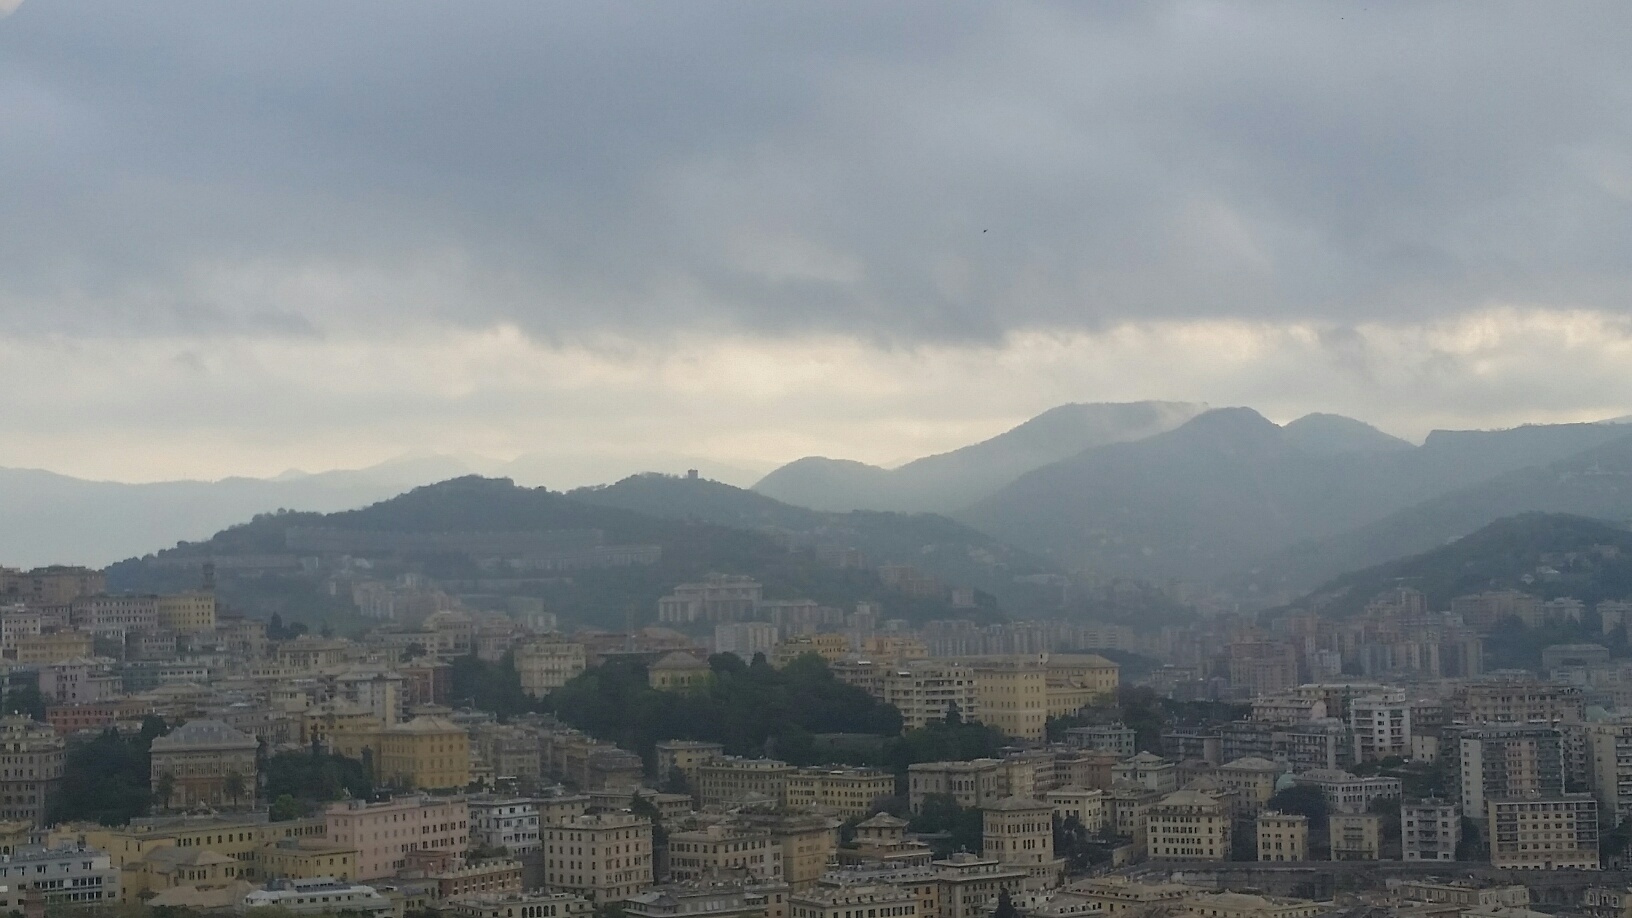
<point>752,710</point>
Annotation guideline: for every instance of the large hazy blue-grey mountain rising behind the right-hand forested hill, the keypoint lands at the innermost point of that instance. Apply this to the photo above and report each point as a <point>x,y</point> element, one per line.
<point>1230,491</point>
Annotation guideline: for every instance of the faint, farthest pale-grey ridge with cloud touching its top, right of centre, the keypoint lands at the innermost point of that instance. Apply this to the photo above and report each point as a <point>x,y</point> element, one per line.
<point>956,479</point>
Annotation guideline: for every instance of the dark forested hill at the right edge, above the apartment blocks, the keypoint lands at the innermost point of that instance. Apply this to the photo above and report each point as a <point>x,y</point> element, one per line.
<point>1546,555</point>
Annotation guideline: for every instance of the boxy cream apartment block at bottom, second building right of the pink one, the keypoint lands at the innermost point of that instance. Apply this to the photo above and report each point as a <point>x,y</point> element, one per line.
<point>603,857</point>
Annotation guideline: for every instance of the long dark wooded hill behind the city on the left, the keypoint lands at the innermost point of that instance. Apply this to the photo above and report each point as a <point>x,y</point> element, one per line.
<point>691,550</point>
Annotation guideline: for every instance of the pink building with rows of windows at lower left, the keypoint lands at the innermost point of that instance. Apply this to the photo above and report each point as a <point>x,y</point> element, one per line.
<point>386,834</point>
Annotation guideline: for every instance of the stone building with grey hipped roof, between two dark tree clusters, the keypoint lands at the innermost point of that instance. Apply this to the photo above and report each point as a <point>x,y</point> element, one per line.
<point>205,762</point>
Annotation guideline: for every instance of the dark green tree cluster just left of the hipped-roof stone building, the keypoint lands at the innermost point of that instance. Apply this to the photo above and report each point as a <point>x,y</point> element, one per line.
<point>107,780</point>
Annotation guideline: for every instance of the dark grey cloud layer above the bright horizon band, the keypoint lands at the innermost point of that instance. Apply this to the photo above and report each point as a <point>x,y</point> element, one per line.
<point>902,172</point>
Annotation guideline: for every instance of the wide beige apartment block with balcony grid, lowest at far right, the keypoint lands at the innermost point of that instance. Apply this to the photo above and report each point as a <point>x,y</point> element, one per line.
<point>1556,834</point>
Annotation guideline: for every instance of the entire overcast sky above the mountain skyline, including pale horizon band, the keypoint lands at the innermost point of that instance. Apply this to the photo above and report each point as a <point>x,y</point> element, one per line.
<point>241,238</point>
